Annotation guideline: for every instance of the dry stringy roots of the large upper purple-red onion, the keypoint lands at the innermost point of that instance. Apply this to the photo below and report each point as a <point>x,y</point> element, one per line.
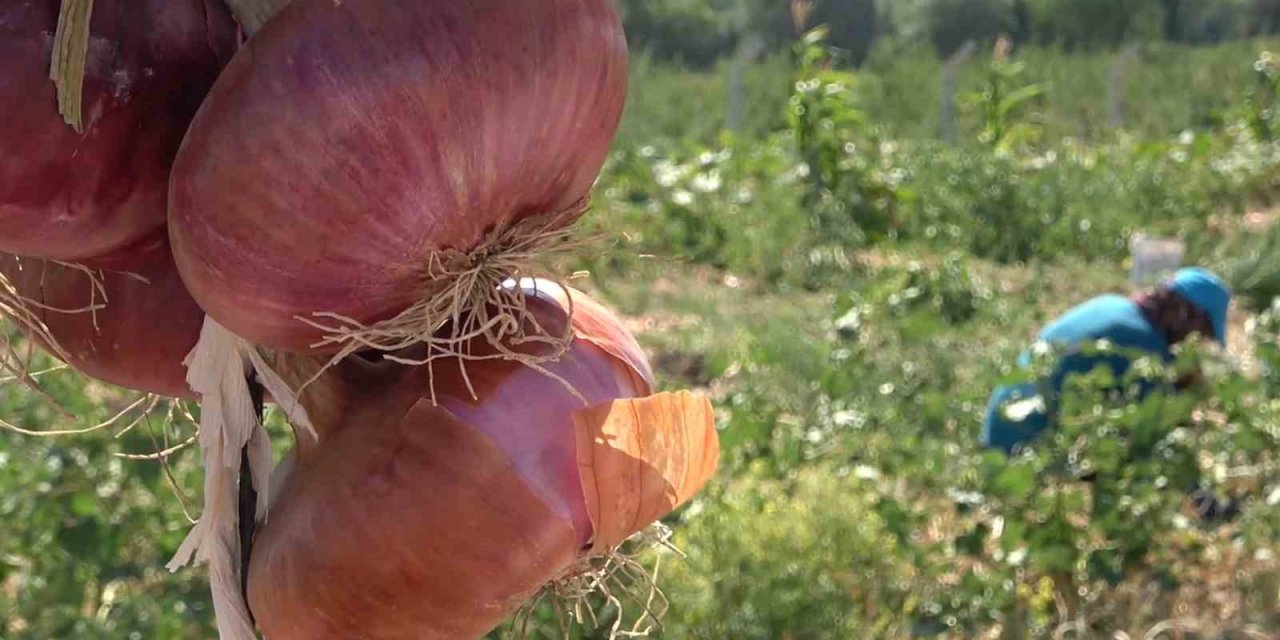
<point>479,298</point>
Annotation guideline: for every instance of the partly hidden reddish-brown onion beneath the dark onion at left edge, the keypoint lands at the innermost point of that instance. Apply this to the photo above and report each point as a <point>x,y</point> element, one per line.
<point>140,336</point>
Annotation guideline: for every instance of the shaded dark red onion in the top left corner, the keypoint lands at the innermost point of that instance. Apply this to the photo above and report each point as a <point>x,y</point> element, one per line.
<point>71,196</point>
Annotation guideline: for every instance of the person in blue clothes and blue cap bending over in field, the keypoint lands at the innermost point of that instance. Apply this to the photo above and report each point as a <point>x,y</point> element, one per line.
<point>1194,301</point>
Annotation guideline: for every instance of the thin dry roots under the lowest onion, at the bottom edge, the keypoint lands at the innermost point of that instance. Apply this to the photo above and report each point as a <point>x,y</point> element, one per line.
<point>611,580</point>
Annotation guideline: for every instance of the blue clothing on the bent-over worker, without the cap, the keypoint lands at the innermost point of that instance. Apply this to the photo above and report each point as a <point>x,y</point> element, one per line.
<point>1020,414</point>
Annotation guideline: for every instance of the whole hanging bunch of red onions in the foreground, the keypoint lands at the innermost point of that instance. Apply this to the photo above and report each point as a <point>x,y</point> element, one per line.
<point>346,204</point>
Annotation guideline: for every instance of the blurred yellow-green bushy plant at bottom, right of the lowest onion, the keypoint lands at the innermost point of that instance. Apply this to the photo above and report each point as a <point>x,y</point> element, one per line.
<point>790,579</point>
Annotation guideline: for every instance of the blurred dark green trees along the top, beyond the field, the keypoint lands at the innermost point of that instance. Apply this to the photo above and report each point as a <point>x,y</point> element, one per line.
<point>702,33</point>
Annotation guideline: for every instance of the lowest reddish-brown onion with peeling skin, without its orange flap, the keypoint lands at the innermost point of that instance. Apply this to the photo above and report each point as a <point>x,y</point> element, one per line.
<point>415,522</point>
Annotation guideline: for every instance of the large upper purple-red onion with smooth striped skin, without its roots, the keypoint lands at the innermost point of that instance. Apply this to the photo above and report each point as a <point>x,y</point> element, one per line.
<point>349,143</point>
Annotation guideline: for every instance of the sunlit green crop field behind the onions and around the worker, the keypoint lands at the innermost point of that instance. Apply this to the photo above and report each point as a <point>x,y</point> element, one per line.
<point>849,290</point>
